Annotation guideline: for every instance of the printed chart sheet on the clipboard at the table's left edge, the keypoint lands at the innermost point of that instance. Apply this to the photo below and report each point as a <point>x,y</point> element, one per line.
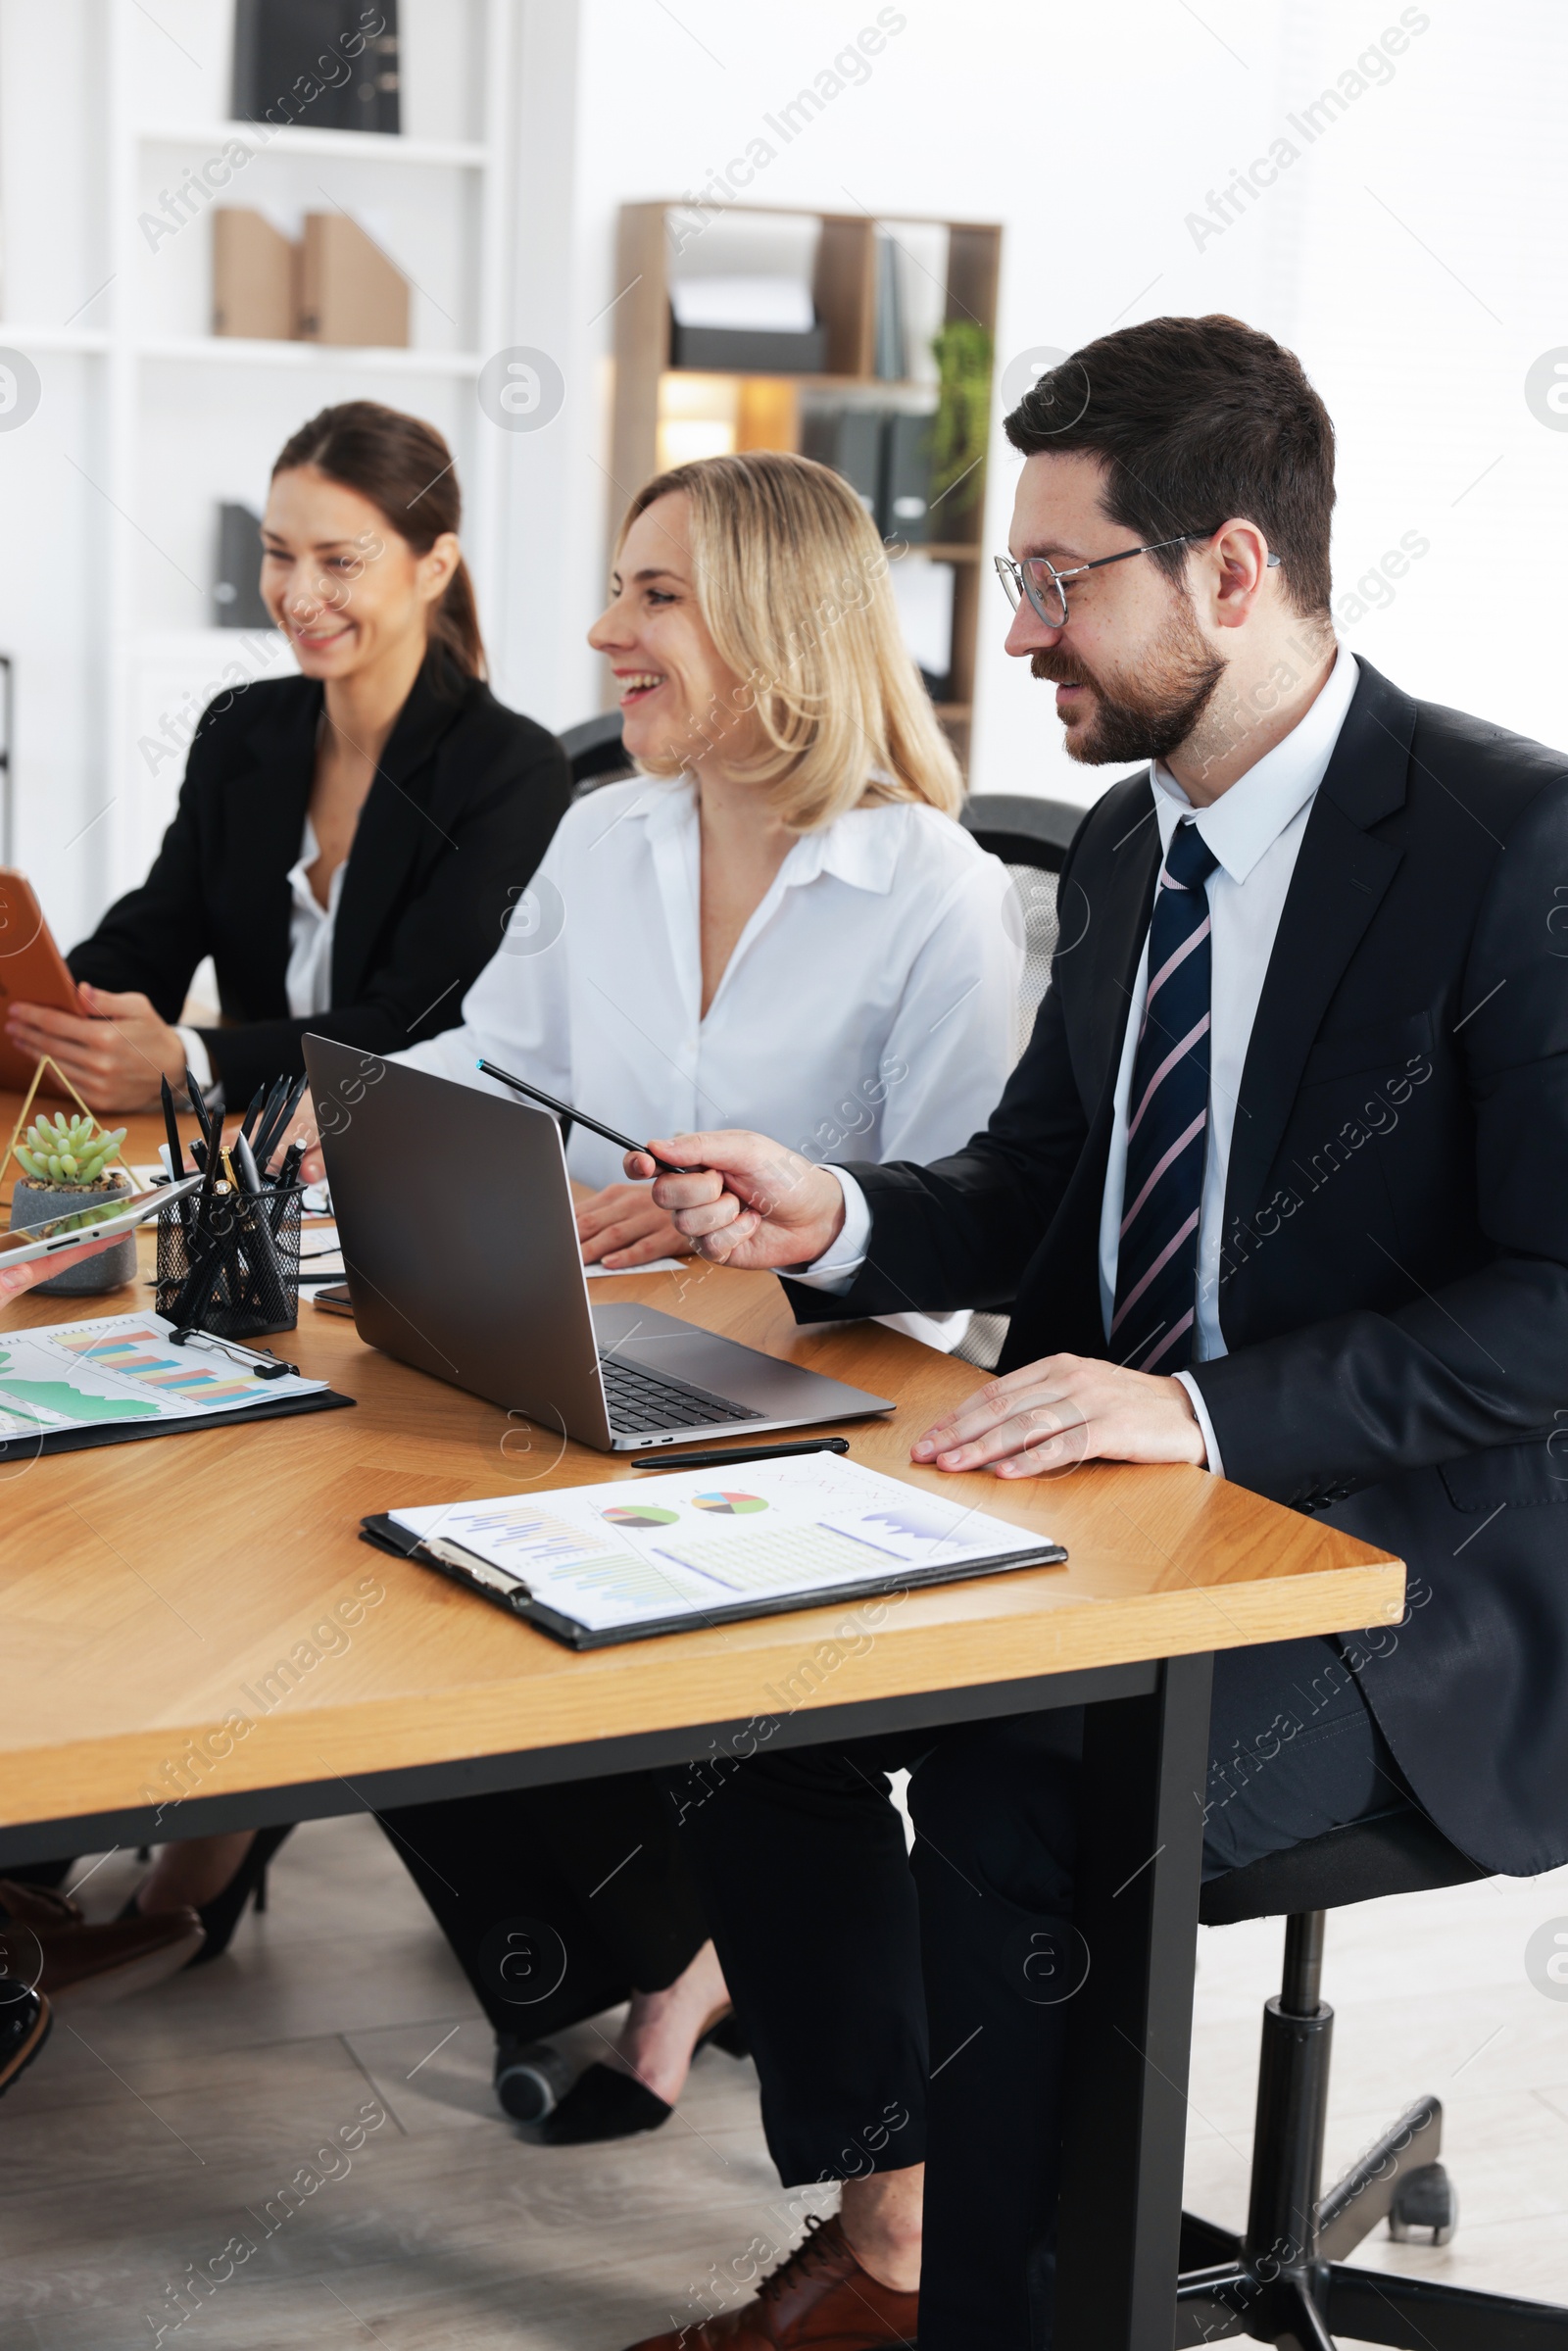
<point>123,1369</point>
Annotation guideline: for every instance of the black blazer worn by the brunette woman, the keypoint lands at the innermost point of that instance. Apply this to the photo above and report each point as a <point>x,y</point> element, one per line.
<point>453,829</point>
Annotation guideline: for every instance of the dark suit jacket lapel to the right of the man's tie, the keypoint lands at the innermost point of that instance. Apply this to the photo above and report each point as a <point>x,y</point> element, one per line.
<point>1339,883</point>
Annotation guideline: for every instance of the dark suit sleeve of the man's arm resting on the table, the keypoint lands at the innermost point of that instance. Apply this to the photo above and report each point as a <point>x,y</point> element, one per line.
<point>1482,1360</point>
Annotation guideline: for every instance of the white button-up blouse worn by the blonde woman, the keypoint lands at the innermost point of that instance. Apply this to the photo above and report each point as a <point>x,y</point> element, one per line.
<point>866,1007</point>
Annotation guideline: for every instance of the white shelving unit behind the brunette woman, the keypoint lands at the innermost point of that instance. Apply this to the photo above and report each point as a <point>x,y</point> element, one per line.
<point>154,422</point>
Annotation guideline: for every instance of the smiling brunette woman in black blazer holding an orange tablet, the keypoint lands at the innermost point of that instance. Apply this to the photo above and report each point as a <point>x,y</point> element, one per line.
<point>349,843</point>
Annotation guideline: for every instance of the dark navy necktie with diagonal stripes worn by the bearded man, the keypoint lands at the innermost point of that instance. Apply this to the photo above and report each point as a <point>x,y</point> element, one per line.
<point>1167,1123</point>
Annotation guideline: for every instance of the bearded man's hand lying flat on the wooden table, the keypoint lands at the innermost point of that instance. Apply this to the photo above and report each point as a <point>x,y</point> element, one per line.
<point>1064,1412</point>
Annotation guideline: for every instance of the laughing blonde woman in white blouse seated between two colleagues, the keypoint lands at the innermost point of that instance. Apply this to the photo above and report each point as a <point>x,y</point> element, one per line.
<point>789,843</point>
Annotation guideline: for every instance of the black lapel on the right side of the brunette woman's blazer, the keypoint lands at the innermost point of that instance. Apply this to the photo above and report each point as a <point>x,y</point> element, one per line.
<point>396,826</point>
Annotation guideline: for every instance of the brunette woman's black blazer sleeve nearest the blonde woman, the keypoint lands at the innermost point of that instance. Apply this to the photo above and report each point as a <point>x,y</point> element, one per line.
<point>490,824</point>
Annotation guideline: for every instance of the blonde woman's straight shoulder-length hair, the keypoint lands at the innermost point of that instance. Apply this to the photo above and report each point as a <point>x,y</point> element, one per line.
<point>793,587</point>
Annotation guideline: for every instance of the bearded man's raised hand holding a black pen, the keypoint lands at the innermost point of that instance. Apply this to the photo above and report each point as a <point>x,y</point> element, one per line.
<point>746,1203</point>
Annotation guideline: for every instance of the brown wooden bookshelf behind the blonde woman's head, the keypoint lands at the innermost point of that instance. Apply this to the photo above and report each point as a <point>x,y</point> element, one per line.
<point>655,401</point>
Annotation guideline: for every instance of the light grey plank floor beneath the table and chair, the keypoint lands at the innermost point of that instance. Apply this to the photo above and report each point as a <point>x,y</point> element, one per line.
<point>154,2134</point>
